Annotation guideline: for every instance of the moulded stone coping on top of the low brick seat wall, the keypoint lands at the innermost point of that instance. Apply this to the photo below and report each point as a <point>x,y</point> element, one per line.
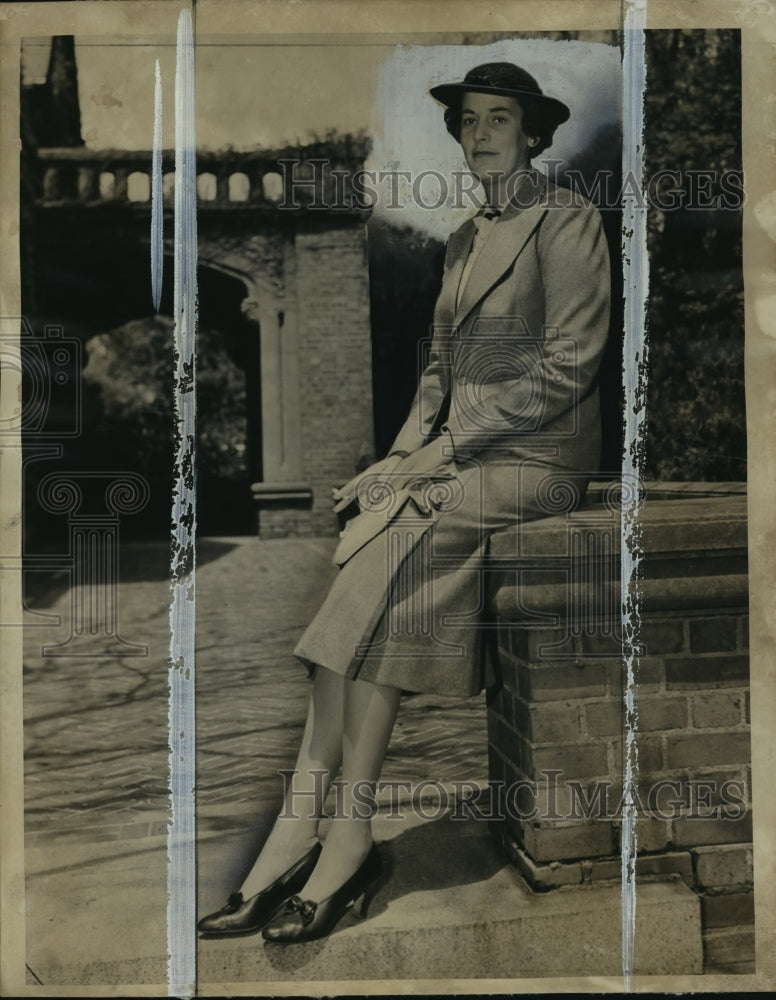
<point>692,539</point>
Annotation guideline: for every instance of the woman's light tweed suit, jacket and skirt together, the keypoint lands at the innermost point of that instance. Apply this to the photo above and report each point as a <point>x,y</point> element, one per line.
<point>507,406</point>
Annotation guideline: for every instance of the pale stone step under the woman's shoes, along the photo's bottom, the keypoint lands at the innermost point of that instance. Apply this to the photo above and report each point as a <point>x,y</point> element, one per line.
<point>451,909</point>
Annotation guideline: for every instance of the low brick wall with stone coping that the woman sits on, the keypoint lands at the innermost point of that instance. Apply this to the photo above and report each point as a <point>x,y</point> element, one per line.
<point>555,725</point>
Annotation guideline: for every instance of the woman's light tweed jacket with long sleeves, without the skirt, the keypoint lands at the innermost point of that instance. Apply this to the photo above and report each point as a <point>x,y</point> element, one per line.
<point>513,368</point>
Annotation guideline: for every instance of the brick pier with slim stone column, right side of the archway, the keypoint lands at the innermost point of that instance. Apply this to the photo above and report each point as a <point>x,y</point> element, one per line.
<point>310,300</point>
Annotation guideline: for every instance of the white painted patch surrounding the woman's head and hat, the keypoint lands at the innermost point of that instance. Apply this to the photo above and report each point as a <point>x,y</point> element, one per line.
<point>410,134</point>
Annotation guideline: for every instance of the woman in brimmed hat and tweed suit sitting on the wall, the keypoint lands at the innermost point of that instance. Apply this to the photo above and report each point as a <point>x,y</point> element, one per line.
<point>506,420</point>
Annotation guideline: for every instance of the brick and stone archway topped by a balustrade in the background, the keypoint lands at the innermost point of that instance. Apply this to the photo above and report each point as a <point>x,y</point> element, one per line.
<point>300,271</point>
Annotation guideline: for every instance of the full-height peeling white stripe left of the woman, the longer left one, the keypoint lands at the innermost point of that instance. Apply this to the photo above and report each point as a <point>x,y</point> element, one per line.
<point>181,872</point>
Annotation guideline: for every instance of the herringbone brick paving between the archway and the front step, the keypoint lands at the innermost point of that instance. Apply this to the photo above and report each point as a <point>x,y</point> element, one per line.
<point>96,749</point>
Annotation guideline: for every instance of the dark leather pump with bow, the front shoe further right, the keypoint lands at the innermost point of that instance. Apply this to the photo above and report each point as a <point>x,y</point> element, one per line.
<point>304,920</point>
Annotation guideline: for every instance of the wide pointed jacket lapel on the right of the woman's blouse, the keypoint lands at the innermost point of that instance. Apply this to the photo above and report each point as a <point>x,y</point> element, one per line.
<point>509,236</point>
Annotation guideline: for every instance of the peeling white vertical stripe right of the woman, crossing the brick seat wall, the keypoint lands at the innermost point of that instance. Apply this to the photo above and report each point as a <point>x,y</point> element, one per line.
<point>636,288</point>
